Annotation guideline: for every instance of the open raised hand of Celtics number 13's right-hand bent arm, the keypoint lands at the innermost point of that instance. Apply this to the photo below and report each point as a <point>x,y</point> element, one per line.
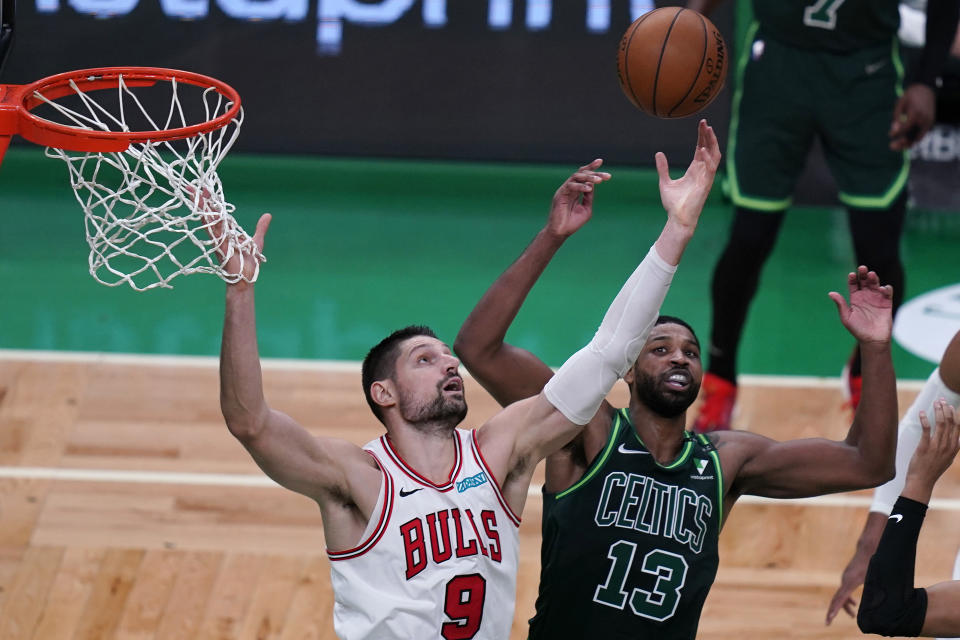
<point>869,314</point>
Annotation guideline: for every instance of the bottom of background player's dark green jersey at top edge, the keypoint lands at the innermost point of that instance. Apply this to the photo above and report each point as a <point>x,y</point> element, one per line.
<point>828,25</point>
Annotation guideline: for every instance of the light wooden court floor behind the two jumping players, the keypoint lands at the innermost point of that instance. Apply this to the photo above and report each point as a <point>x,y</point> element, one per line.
<point>128,511</point>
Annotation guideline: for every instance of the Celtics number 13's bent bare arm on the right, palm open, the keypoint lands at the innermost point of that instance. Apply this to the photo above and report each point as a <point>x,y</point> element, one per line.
<point>865,458</point>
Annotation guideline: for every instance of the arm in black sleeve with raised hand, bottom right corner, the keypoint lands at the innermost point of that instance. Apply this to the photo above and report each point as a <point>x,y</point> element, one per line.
<point>891,605</point>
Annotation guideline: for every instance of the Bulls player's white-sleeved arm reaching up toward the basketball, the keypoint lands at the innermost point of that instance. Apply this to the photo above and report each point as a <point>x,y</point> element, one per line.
<point>527,431</point>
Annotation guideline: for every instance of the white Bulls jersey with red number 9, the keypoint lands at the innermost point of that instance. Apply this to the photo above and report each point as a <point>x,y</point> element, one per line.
<point>436,561</point>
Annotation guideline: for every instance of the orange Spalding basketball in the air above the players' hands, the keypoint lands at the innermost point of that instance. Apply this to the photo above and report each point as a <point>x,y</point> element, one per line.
<point>672,62</point>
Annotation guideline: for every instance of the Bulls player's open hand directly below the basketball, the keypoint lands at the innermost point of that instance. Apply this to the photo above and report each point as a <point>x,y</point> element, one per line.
<point>684,198</point>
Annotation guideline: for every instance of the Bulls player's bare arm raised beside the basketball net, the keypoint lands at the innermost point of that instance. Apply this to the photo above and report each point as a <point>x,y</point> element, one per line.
<point>285,451</point>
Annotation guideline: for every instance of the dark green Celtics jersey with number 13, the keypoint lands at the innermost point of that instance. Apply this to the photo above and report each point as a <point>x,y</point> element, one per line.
<point>630,551</point>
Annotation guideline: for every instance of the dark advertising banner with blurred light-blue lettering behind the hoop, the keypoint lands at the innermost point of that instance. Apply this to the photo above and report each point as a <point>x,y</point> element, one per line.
<point>507,80</point>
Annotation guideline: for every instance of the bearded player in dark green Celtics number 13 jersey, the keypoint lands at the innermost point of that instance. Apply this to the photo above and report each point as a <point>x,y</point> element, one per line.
<point>633,506</point>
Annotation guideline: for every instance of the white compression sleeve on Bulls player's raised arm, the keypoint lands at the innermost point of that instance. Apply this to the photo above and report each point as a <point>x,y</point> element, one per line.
<point>584,380</point>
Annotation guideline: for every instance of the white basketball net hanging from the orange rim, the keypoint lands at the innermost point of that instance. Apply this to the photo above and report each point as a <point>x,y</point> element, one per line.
<point>155,210</point>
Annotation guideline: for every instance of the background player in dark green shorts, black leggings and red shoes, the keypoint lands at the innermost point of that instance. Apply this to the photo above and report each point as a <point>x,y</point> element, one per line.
<point>830,70</point>
